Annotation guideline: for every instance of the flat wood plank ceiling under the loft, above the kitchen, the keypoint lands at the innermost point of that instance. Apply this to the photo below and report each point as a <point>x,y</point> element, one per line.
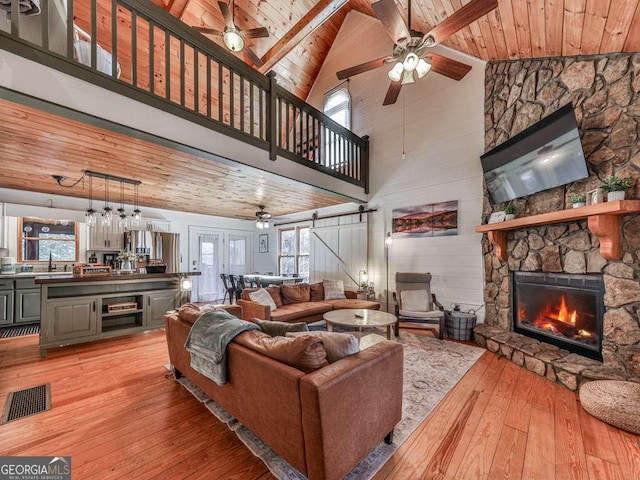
<point>36,145</point>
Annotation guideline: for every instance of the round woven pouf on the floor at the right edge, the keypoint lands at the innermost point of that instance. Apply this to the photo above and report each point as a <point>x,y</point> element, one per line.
<point>614,402</point>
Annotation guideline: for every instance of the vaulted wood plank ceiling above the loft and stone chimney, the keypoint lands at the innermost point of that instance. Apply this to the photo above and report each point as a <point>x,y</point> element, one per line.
<point>516,29</point>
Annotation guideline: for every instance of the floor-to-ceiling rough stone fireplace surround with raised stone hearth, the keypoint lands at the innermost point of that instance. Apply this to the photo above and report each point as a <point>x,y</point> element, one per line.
<point>605,93</point>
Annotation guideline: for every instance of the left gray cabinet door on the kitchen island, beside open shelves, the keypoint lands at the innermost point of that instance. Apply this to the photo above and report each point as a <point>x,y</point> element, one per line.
<point>71,318</point>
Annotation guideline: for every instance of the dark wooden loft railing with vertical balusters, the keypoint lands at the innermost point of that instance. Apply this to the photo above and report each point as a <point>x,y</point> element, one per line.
<point>137,49</point>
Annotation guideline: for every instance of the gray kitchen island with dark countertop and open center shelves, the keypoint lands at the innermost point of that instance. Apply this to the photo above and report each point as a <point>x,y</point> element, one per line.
<point>79,309</point>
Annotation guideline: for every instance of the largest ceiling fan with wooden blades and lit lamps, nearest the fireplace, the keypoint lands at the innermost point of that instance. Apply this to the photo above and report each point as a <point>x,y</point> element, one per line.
<point>410,57</point>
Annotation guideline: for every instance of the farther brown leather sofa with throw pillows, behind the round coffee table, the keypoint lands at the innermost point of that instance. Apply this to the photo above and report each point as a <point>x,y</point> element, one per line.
<point>294,307</point>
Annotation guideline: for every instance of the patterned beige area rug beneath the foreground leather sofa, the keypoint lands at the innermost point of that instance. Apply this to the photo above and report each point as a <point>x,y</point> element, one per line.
<point>432,367</point>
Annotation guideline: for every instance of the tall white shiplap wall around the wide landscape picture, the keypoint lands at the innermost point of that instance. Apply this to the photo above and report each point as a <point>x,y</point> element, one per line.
<point>440,123</point>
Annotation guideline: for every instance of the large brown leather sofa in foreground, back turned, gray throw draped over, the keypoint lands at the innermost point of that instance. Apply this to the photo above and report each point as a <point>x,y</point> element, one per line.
<point>324,422</point>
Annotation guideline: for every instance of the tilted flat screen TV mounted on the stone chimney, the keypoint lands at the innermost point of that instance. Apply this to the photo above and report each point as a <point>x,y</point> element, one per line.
<point>545,155</point>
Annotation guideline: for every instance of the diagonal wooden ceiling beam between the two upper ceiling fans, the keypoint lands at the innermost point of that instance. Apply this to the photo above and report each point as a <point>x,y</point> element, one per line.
<point>319,13</point>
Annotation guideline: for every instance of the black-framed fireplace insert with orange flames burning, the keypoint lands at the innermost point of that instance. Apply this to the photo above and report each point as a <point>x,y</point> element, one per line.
<point>564,310</point>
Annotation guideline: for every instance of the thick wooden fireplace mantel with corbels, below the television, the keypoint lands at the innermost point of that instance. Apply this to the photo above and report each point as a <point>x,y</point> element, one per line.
<point>603,220</point>
